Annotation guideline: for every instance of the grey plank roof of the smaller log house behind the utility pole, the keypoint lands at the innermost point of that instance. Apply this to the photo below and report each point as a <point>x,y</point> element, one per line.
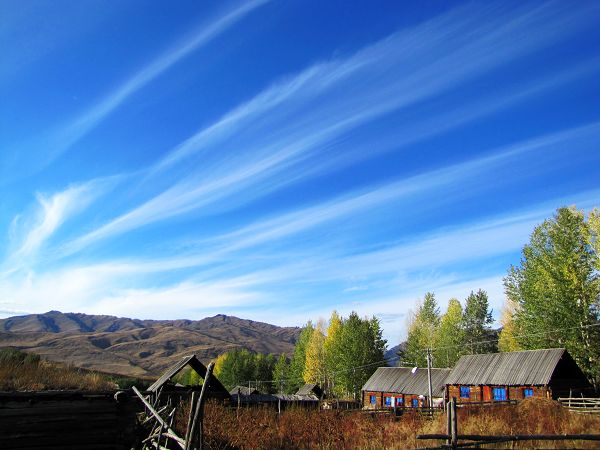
<point>401,380</point>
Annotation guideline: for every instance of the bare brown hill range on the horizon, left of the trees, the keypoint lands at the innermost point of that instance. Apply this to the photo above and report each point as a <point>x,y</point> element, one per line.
<point>138,347</point>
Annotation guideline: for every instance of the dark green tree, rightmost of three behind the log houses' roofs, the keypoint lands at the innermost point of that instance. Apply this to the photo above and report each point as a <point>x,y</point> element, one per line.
<point>477,320</point>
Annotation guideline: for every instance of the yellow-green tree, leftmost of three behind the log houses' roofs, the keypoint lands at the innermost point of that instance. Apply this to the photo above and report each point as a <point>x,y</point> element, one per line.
<point>422,330</point>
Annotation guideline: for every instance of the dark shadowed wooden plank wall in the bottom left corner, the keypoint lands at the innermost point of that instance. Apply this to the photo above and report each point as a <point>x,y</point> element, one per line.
<point>66,420</point>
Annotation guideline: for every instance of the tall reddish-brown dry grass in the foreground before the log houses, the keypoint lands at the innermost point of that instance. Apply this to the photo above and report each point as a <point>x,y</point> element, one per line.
<point>262,428</point>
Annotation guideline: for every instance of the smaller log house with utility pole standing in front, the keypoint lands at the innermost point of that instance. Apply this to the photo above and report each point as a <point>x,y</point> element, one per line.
<point>404,386</point>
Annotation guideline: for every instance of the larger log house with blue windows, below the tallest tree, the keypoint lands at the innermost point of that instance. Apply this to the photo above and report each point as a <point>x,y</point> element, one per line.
<point>502,377</point>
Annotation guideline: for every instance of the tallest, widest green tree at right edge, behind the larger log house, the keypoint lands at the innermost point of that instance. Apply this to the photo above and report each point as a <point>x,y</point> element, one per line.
<point>556,289</point>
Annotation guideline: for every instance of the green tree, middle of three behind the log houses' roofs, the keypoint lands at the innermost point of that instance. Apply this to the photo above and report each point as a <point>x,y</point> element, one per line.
<point>450,336</point>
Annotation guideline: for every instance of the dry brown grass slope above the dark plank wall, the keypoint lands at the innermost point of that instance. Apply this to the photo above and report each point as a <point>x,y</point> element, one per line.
<point>21,371</point>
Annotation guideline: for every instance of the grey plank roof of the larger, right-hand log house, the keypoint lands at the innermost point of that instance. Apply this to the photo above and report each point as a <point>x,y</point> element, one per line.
<point>530,367</point>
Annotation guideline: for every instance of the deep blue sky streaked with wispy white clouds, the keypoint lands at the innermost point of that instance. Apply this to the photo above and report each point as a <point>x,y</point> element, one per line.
<point>278,160</point>
